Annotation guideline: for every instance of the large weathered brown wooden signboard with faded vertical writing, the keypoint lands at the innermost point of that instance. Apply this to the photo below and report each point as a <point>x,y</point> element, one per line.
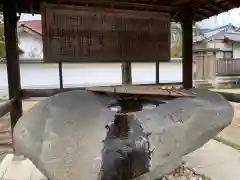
<point>85,34</point>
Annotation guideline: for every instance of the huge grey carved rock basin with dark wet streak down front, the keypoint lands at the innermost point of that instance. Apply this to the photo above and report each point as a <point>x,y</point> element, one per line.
<point>74,135</point>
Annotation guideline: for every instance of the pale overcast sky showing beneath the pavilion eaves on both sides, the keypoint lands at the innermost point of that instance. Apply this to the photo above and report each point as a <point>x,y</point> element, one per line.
<point>232,16</point>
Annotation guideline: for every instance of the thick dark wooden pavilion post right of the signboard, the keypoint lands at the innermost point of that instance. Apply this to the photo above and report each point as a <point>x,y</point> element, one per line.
<point>187,52</point>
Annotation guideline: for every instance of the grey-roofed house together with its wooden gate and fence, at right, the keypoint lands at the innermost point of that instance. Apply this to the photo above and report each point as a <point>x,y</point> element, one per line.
<point>217,53</point>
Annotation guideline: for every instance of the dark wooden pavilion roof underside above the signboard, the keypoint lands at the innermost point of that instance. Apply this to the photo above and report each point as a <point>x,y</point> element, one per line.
<point>201,9</point>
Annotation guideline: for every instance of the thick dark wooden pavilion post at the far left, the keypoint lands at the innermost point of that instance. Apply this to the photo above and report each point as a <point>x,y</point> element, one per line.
<point>11,46</point>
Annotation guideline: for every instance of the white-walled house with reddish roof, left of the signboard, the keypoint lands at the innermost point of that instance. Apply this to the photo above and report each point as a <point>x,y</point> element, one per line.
<point>30,40</point>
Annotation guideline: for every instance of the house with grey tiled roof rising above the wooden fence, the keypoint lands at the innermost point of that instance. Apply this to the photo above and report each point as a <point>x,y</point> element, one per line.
<point>226,39</point>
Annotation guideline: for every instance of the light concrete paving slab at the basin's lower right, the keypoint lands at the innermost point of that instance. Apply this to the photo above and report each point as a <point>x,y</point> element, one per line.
<point>215,160</point>
